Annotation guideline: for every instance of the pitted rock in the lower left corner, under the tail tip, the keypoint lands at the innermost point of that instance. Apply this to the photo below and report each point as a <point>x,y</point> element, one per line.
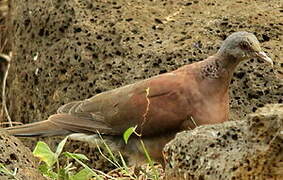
<point>15,156</point>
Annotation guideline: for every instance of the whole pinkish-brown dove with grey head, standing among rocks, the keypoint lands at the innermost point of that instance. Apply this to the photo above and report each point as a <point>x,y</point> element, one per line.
<point>159,107</point>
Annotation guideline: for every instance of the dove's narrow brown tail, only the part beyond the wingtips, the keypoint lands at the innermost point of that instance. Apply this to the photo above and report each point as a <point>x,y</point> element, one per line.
<point>42,129</point>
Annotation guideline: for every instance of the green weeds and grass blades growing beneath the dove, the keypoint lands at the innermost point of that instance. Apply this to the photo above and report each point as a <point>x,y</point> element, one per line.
<point>51,168</point>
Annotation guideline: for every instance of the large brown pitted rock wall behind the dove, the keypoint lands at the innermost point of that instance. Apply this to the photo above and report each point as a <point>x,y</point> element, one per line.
<point>71,50</point>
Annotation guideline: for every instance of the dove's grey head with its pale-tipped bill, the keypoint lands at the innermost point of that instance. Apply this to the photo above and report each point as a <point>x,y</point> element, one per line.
<point>242,46</point>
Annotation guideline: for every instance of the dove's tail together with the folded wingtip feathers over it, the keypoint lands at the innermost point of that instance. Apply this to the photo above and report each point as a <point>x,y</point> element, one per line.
<point>63,124</point>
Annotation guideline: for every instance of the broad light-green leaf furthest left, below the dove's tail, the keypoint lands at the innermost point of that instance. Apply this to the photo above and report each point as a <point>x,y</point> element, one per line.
<point>44,153</point>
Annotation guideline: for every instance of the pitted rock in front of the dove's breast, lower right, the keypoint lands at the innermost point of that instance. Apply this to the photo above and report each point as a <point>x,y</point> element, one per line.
<point>248,149</point>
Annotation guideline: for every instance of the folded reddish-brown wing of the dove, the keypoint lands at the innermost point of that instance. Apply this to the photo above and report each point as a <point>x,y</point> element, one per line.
<point>155,105</point>
